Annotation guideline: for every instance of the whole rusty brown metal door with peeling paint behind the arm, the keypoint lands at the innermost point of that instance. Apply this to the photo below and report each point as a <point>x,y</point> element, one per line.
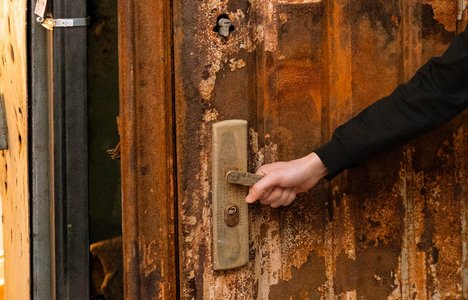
<point>393,228</point>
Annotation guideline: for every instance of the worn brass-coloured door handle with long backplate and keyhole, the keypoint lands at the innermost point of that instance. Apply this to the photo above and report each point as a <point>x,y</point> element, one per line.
<point>229,210</point>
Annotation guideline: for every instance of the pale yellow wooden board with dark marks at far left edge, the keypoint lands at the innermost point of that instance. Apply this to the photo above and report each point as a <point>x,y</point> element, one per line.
<point>13,162</point>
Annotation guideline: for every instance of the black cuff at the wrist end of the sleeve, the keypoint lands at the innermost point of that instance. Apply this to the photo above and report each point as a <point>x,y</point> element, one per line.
<point>335,157</point>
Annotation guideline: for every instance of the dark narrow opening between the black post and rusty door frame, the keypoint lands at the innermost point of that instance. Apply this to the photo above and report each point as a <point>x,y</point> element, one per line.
<point>105,215</point>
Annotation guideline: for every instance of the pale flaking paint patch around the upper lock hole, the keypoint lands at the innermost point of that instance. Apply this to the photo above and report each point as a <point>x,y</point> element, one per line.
<point>247,35</point>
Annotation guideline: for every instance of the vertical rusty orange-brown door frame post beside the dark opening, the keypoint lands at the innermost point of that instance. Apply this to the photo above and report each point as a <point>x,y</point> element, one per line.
<point>147,150</point>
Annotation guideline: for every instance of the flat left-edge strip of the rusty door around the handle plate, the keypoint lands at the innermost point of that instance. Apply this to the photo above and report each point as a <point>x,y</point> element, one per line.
<point>214,81</point>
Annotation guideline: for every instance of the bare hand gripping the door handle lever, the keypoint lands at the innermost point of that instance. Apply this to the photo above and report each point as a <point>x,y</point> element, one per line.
<point>282,181</point>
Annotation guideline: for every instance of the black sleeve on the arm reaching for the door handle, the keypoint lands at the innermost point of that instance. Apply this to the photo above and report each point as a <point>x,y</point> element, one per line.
<point>437,93</point>
